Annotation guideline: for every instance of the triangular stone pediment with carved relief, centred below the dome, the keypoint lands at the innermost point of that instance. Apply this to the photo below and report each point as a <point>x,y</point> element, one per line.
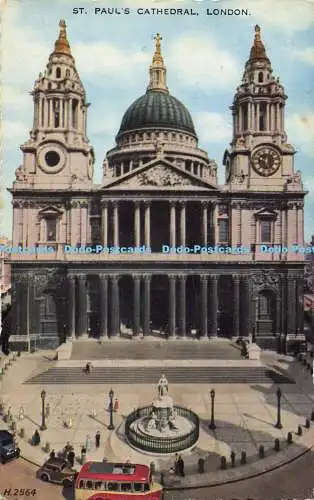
<point>159,174</point>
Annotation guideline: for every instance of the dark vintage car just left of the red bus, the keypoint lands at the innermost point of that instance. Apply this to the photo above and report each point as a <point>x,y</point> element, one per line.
<point>57,470</point>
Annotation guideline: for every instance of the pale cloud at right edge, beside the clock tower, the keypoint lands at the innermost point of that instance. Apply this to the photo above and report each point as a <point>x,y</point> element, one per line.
<point>300,129</point>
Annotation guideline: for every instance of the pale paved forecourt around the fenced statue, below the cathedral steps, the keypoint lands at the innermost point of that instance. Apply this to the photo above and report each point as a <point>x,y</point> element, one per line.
<point>245,413</point>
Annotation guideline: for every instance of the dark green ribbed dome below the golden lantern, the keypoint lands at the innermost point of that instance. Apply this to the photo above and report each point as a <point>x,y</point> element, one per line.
<point>157,109</point>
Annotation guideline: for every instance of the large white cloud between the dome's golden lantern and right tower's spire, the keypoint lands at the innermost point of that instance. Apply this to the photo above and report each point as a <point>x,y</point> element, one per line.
<point>198,61</point>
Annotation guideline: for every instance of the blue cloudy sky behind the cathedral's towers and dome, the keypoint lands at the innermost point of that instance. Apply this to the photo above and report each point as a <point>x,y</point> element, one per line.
<point>205,57</point>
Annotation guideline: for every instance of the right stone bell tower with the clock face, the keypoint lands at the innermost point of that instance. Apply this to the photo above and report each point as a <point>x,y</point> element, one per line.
<point>259,157</point>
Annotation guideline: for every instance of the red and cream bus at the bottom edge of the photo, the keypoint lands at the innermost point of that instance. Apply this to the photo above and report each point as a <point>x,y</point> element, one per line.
<point>109,481</point>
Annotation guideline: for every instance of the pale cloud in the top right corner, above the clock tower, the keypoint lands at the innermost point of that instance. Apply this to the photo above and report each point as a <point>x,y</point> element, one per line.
<point>285,15</point>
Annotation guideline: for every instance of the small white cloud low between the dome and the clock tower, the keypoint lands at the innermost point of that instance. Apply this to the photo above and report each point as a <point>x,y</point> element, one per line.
<point>213,127</point>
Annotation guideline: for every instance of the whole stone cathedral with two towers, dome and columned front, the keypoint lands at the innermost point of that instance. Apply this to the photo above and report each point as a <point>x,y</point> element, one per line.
<point>159,248</point>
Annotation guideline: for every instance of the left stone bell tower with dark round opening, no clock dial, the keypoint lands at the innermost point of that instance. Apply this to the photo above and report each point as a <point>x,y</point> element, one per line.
<point>58,154</point>
